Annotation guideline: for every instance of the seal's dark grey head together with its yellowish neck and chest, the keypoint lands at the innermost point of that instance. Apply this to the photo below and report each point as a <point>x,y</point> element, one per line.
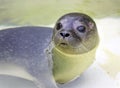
<point>75,38</point>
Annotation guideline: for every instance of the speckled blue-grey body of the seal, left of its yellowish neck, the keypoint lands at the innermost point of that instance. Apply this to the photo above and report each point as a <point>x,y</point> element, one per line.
<point>26,47</point>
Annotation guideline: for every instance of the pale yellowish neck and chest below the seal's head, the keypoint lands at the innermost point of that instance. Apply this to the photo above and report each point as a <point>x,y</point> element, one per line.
<point>68,67</point>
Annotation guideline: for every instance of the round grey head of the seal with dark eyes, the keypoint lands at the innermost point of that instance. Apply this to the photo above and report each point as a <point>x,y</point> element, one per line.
<point>73,33</point>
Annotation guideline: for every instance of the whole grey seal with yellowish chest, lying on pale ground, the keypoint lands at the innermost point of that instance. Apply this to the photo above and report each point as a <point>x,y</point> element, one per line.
<point>72,44</point>
